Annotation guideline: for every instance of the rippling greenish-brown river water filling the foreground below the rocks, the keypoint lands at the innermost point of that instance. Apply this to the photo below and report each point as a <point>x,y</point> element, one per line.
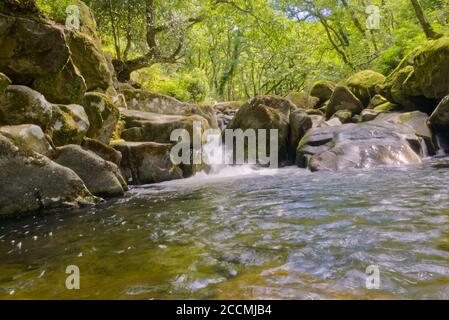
<point>244,233</point>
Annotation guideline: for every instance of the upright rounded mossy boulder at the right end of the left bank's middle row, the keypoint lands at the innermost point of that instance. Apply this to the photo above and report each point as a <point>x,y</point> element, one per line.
<point>103,116</point>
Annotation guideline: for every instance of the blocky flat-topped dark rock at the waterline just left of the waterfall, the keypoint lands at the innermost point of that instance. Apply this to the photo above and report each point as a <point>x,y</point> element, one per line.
<point>147,162</point>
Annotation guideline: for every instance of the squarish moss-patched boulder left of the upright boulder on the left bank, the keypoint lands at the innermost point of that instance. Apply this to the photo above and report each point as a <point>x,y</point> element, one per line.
<point>69,124</point>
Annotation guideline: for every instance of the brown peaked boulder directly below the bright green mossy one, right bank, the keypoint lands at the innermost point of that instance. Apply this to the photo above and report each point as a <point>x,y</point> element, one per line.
<point>343,99</point>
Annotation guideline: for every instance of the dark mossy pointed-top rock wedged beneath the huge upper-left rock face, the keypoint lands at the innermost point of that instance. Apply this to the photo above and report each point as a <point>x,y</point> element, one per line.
<point>65,87</point>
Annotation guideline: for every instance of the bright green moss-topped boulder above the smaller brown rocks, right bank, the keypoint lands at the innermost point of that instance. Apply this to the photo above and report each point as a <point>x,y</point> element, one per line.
<point>363,84</point>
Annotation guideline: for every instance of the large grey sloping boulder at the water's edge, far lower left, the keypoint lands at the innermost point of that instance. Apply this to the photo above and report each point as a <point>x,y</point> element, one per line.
<point>31,182</point>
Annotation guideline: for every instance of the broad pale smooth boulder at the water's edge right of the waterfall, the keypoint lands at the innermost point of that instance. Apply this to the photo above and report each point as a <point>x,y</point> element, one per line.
<point>360,146</point>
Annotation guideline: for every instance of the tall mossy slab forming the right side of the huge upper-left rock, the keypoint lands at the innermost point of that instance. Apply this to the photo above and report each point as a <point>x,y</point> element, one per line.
<point>90,61</point>
